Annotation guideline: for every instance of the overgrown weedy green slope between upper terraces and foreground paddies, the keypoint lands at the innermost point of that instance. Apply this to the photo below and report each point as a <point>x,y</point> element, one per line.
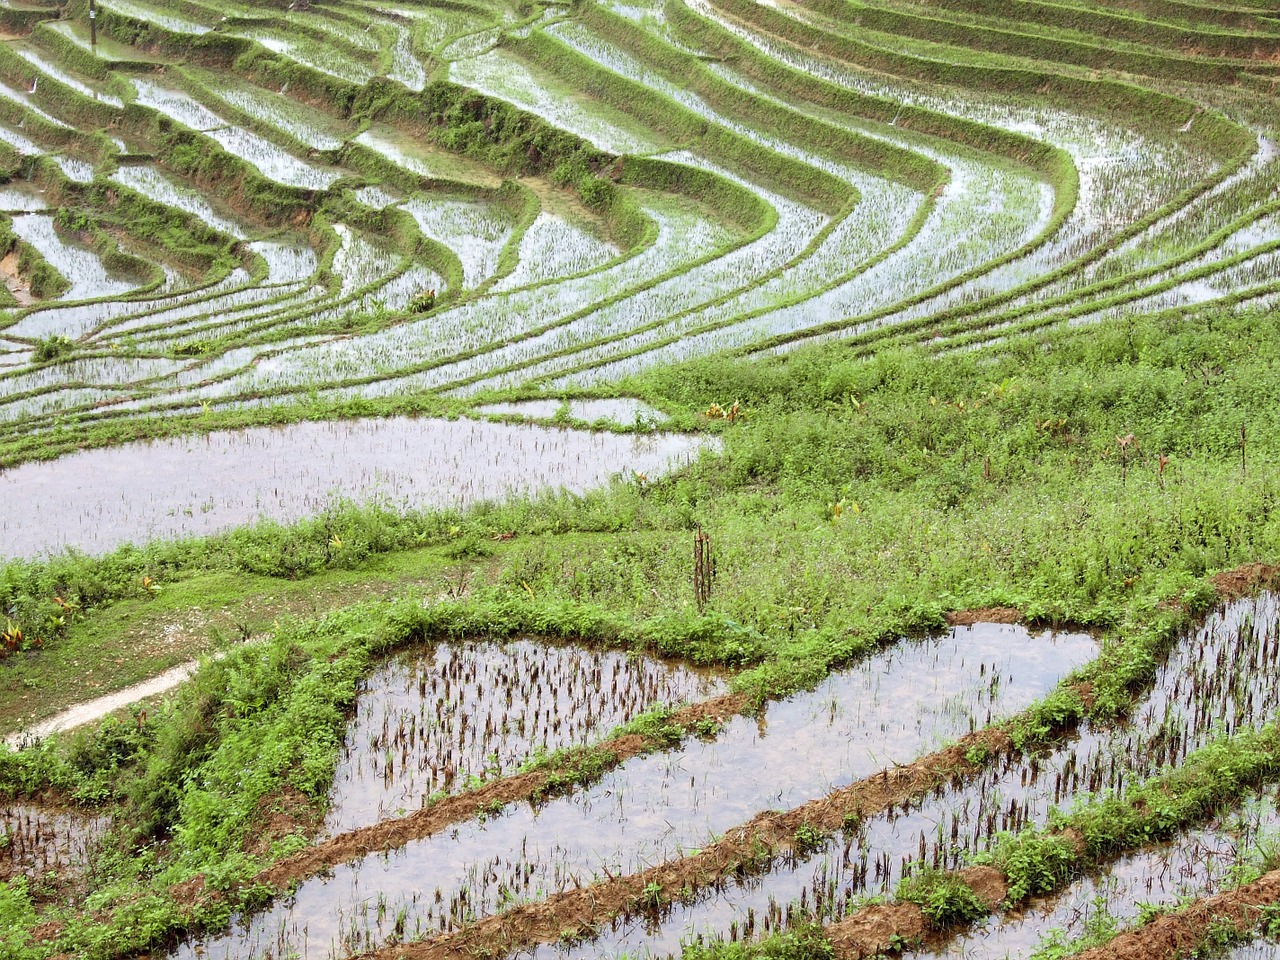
<point>963,483</point>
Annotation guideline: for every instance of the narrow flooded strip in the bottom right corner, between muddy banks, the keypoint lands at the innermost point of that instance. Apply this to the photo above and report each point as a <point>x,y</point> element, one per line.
<point>1195,865</point>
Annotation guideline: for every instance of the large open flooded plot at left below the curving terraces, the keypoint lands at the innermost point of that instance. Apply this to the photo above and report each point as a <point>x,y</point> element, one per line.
<point>204,484</point>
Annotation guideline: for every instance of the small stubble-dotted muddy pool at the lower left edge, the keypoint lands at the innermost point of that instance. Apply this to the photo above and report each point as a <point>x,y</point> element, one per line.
<point>35,840</point>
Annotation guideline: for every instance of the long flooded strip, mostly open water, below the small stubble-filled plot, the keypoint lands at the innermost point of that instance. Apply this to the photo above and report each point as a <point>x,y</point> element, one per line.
<point>904,702</point>
